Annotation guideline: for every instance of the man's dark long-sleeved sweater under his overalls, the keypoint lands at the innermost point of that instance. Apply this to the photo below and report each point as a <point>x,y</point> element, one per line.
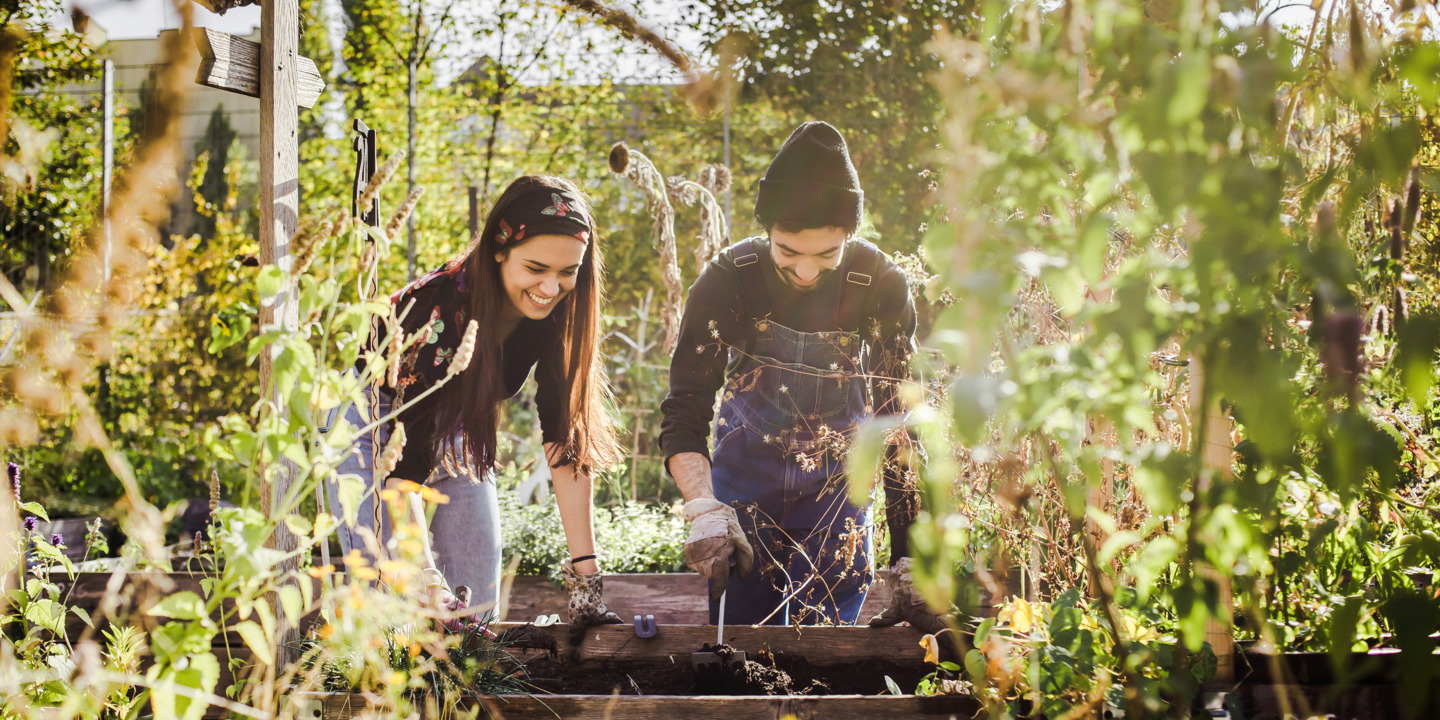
<point>716,320</point>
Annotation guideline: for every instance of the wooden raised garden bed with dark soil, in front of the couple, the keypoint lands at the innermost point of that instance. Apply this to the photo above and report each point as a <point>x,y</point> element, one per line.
<point>837,673</point>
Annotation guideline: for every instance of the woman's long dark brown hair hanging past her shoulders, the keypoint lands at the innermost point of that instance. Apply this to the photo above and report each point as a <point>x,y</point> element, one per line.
<point>590,437</point>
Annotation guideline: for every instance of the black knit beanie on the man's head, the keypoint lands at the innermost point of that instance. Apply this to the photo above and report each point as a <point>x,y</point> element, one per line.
<point>811,182</point>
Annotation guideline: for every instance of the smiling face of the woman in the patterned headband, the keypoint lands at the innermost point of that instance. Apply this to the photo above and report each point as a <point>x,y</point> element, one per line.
<point>541,273</point>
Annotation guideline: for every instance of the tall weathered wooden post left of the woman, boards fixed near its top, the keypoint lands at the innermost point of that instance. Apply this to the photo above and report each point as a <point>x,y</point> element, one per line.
<point>280,215</point>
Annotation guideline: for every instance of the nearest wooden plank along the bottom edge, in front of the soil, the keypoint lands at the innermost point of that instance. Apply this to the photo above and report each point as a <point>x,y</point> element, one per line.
<point>670,708</point>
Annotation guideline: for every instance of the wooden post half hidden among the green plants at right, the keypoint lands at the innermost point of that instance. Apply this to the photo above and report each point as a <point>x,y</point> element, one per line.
<point>1215,459</point>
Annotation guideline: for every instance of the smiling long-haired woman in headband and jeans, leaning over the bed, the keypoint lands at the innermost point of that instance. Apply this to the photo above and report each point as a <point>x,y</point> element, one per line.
<point>532,282</point>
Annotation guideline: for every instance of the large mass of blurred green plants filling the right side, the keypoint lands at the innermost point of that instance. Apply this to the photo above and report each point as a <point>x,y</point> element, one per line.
<point>1151,220</point>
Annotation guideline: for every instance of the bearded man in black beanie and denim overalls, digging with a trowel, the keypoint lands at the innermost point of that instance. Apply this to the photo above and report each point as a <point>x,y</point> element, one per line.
<point>800,330</point>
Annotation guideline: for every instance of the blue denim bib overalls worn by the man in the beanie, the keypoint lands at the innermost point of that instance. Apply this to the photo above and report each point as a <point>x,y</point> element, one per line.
<point>787,400</point>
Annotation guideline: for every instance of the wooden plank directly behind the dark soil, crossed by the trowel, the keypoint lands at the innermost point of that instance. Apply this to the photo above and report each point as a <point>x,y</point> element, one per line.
<point>820,646</point>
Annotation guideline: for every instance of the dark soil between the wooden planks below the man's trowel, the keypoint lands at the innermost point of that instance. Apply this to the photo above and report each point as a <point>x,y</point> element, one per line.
<point>762,675</point>
